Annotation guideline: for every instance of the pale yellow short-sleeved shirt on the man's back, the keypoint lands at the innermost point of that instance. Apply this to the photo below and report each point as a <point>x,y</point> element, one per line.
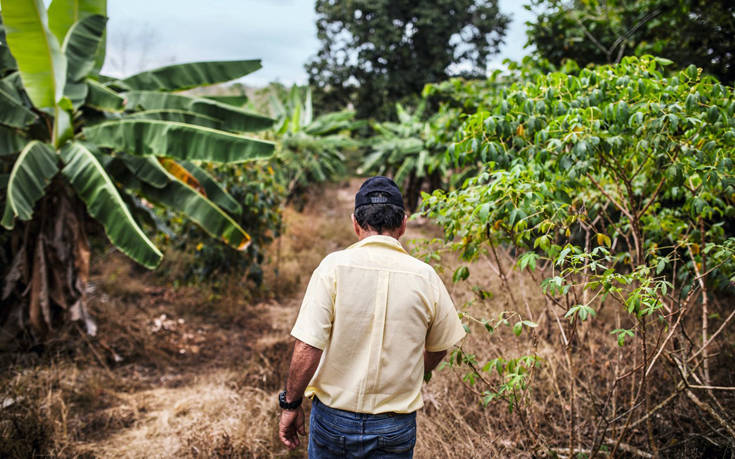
<point>373,309</point>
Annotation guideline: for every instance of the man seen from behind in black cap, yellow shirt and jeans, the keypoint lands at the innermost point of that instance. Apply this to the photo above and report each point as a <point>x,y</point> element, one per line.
<point>373,321</point>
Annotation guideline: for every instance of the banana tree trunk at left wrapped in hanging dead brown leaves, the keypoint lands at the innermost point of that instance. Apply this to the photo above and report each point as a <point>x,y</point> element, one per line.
<point>44,284</point>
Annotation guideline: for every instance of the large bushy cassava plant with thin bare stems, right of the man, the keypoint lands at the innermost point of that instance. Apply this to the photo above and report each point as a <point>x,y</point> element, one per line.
<point>614,188</point>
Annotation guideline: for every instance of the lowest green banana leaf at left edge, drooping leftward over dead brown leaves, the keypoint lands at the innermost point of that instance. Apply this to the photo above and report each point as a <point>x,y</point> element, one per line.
<point>32,172</point>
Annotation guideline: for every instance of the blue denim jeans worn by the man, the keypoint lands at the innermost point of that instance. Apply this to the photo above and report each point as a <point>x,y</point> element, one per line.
<point>337,433</point>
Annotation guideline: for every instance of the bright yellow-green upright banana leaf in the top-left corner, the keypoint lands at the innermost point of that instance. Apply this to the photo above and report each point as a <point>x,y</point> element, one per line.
<point>41,64</point>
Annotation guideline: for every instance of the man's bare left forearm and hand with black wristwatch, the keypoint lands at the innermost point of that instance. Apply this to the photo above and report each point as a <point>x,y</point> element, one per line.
<point>304,361</point>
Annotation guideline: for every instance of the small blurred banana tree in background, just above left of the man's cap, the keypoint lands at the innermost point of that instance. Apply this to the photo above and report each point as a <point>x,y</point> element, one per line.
<point>310,150</point>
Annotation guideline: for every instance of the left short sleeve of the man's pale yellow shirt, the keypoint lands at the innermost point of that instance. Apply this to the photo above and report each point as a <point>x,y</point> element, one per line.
<point>314,323</point>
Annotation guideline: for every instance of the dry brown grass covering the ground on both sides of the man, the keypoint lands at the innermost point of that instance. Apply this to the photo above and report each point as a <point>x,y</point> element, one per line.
<point>190,372</point>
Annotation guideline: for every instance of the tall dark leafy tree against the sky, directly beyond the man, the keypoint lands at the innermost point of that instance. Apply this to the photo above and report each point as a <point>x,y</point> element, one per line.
<point>377,52</point>
